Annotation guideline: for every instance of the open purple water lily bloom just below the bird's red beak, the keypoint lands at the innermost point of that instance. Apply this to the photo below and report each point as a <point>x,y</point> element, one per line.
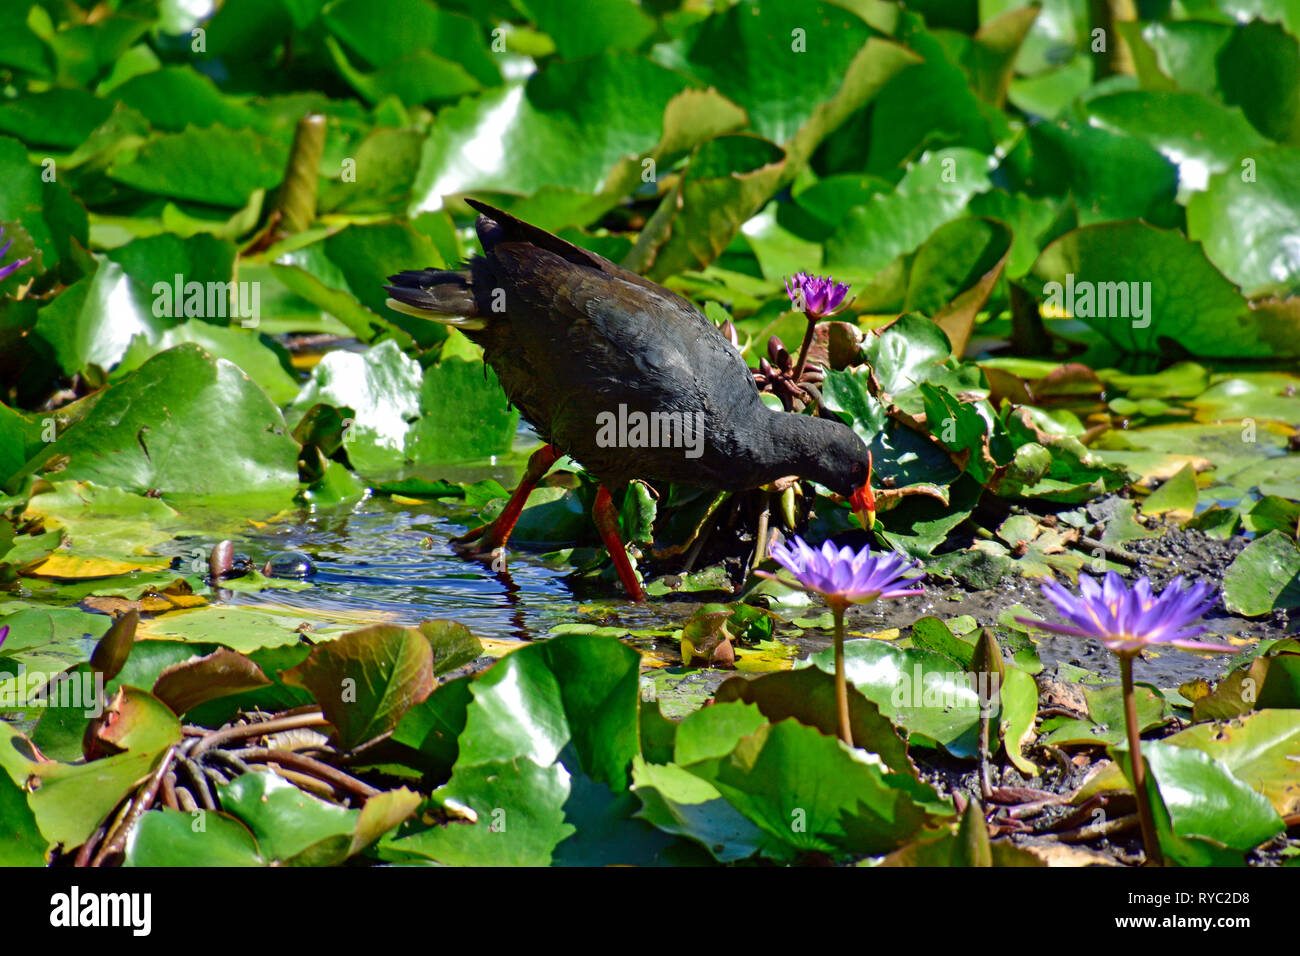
<point>843,577</point>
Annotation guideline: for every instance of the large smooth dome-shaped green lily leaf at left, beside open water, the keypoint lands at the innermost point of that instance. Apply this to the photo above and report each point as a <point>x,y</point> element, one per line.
<point>185,423</point>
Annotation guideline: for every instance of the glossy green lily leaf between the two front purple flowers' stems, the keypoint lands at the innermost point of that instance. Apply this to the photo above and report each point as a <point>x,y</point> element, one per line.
<point>926,694</point>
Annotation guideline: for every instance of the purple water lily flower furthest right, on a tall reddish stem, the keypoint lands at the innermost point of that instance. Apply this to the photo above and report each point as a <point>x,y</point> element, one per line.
<point>1128,621</point>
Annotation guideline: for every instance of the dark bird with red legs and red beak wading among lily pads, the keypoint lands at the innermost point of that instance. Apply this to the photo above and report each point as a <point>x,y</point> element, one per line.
<point>623,375</point>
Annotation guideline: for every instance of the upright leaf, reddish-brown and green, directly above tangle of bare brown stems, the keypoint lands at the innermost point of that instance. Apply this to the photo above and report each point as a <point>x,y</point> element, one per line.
<point>367,680</point>
